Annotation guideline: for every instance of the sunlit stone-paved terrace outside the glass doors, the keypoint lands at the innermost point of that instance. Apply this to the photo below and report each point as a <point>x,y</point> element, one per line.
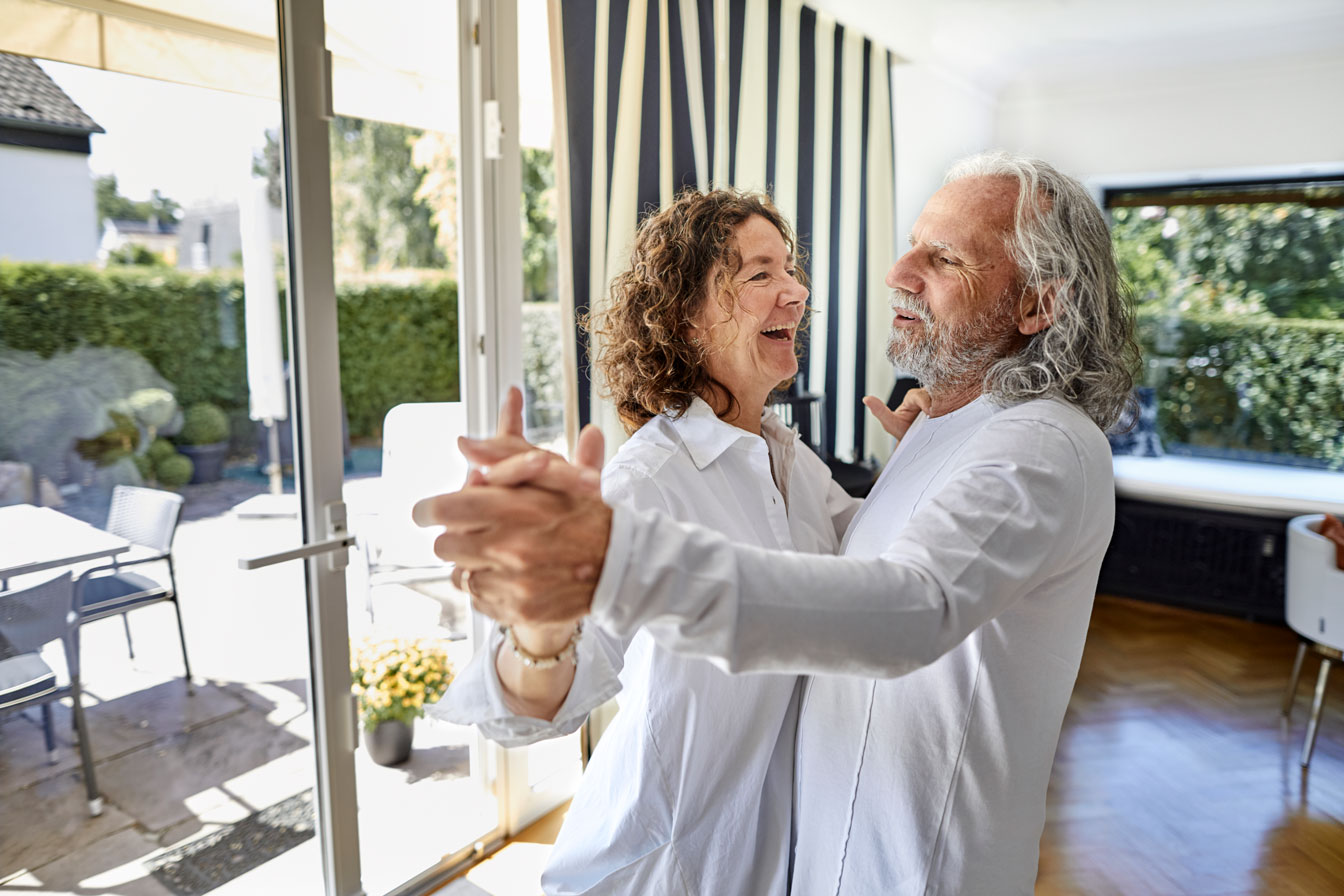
<point>201,788</point>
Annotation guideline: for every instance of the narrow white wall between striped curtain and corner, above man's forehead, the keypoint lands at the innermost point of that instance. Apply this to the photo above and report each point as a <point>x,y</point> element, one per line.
<point>939,120</point>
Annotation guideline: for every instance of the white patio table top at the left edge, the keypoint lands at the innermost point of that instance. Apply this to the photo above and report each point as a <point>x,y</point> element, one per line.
<point>37,539</point>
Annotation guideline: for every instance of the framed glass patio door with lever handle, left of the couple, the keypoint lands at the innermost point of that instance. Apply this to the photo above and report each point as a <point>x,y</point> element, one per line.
<point>403,166</point>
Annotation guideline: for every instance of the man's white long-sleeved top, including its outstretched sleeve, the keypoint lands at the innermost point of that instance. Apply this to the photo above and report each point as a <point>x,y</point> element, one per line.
<point>946,645</point>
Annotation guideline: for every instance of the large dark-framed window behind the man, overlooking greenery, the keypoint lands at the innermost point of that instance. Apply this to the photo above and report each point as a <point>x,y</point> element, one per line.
<point>1241,315</point>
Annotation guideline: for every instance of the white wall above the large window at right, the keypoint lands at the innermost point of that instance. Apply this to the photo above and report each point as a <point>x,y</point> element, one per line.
<point>1251,118</point>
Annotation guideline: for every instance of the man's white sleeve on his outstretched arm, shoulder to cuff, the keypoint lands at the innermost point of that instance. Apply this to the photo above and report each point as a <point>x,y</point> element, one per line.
<point>1010,517</point>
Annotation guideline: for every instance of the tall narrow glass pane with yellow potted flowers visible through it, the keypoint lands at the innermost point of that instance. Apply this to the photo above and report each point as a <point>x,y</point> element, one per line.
<point>394,162</point>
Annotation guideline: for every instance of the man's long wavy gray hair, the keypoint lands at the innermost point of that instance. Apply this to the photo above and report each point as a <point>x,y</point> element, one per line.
<point>1061,242</point>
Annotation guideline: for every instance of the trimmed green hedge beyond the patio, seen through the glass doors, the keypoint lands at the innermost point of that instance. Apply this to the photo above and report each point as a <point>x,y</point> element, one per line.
<point>398,342</point>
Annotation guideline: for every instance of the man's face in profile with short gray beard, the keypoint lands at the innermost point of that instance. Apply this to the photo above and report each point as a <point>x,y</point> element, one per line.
<point>955,294</point>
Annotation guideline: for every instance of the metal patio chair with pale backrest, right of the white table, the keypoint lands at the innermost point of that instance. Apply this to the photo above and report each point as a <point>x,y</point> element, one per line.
<point>149,519</point>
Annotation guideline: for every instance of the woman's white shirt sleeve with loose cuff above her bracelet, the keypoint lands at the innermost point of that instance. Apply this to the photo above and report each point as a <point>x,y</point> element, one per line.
<point>476,697</point>
